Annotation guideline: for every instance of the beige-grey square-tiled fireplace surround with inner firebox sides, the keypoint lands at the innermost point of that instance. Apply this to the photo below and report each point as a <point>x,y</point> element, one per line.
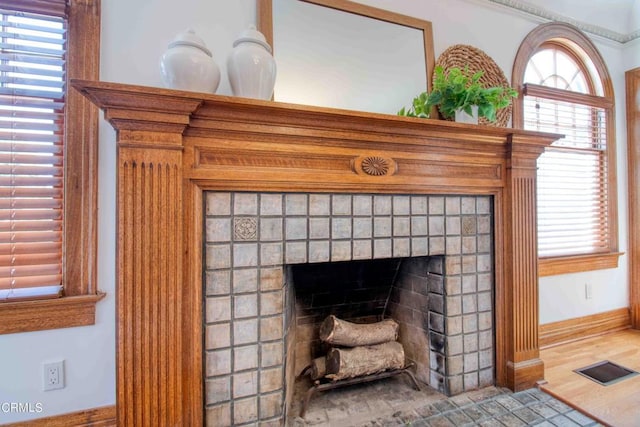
<point>442,296</point>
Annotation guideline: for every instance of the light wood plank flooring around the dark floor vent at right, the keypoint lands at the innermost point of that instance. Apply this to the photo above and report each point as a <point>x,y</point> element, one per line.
<point>615,405</point>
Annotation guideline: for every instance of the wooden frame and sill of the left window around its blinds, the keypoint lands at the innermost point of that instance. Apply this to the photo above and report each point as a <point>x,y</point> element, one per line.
<point>79,279</point>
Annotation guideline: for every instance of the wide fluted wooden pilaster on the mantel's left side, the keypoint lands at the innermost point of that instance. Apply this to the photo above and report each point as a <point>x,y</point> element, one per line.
<point>150,292</point>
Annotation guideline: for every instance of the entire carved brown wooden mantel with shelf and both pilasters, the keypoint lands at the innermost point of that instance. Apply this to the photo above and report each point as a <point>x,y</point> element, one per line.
<point>173,145</point>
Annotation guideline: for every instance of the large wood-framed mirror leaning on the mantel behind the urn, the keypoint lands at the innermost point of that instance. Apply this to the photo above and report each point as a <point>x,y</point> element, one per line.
<point>341,54</point>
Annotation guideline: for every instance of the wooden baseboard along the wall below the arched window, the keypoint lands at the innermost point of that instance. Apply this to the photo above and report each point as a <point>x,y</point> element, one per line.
<point>555,333</point>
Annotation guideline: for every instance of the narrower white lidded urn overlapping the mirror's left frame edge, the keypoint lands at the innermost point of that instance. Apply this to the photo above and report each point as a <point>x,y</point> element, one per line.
<point>251,67</point>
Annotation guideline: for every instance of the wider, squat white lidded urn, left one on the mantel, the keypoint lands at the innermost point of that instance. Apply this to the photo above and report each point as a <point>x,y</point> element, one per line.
<point>187,64</point>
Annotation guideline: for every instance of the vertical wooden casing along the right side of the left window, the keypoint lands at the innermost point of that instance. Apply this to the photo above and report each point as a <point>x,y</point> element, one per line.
<point>81,153</point>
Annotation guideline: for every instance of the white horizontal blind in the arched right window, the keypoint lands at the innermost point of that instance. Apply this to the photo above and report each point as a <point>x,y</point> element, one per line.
<point>572,175</point>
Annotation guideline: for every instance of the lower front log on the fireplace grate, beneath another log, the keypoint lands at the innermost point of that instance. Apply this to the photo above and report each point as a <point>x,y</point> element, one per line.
<point>345,363</point>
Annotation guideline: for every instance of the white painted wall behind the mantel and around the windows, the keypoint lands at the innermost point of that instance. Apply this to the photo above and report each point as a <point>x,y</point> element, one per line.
<point>134,35</point>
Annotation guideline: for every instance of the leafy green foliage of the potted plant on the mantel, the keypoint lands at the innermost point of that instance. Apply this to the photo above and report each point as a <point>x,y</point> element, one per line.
<point>460,90</point>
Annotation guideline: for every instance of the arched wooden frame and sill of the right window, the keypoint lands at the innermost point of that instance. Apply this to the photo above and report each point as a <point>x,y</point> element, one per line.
<point>566,36</point>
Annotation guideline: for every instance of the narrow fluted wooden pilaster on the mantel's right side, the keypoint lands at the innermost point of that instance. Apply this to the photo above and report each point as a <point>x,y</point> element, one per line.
<point>517,304</point>
